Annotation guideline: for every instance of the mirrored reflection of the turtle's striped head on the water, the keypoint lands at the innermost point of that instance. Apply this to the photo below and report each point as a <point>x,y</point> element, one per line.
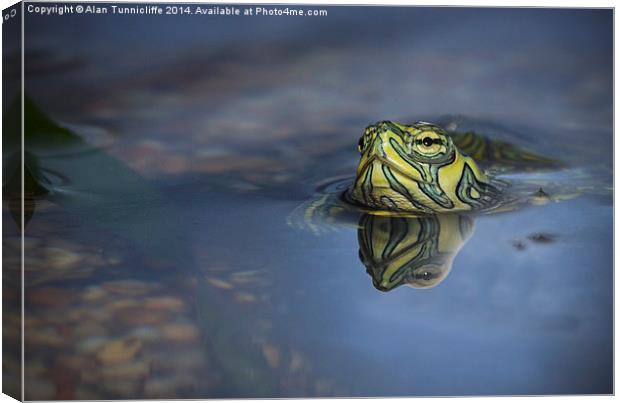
<point>416,251</point>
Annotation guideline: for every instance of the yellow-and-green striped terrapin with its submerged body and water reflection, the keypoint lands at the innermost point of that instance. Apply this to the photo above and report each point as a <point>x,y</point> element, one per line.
<point>414,194</point>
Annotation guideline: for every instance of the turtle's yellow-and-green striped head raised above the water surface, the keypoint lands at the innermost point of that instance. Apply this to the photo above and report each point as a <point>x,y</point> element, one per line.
<point>418,168</point>
